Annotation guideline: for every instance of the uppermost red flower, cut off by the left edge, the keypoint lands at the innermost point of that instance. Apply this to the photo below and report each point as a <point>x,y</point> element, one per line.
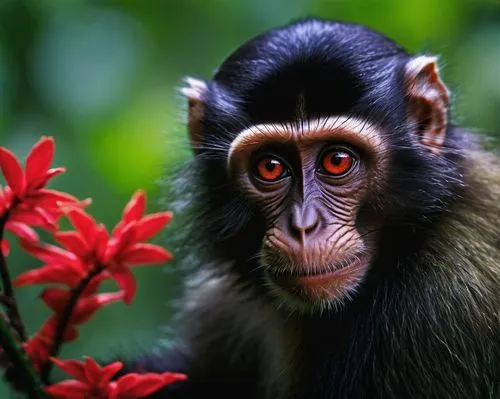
<point>25,199</point>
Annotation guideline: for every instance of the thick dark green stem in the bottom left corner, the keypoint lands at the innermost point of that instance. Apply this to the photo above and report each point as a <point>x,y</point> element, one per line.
<point>24,373</point>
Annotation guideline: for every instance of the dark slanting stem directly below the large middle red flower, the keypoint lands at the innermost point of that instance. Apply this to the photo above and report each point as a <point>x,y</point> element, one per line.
<point>64,320</point>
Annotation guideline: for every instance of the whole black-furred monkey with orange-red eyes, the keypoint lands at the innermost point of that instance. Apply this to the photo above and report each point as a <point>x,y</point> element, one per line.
<point>350,230</point>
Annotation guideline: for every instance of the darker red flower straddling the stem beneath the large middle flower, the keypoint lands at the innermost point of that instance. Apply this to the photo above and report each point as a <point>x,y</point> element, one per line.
<point>38,347</point>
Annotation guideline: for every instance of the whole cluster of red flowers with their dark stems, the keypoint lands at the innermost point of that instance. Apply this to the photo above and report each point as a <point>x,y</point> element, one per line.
<point>73,269</point>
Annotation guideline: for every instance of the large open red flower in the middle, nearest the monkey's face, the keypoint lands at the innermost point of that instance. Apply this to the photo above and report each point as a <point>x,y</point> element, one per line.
<point>91,246</point>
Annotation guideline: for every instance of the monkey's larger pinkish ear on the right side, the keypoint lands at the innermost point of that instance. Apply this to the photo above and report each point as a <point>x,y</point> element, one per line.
<point>428,101</point>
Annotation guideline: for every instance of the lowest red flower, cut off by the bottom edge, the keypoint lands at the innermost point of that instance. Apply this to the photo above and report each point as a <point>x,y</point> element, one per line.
<point>94,382</point>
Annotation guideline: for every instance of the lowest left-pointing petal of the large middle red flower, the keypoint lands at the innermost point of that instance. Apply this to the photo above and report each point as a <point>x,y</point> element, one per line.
<point>50,273</point>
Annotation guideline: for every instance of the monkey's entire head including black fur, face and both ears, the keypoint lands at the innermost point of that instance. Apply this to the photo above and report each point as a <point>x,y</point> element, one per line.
<point>317,142</point>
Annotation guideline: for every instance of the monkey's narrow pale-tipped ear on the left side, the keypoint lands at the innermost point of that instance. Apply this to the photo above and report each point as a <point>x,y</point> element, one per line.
<point>194,91</point>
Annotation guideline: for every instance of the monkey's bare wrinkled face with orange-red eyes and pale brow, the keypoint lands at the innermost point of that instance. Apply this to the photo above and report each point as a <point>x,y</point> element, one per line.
<point>313,186</point>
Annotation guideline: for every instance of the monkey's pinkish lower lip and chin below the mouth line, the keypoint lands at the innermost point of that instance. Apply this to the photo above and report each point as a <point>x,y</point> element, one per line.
<point>324,289</point>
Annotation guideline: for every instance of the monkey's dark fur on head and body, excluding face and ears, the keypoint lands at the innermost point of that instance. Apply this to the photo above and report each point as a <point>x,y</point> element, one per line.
<point>425,321</point>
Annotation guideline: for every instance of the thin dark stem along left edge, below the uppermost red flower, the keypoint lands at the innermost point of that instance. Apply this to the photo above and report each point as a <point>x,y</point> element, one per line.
<point>9,300</point>
